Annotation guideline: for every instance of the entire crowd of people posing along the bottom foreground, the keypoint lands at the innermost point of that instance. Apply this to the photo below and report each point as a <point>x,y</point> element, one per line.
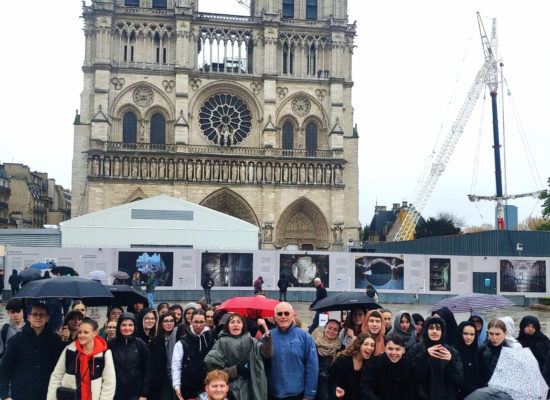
<point>195,352</point>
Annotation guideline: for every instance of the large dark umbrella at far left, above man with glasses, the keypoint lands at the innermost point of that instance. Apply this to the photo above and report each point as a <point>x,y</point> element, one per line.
<point>64,286</point>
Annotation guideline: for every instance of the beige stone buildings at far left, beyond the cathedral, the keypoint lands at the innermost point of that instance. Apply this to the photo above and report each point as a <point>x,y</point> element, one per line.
<point>34,199</point>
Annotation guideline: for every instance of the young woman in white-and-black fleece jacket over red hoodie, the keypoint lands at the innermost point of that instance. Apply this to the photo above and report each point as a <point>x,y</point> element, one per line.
<point>91,360</point>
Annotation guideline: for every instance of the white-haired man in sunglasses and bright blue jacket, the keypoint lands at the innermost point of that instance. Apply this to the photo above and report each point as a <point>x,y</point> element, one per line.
<point>294,366</point>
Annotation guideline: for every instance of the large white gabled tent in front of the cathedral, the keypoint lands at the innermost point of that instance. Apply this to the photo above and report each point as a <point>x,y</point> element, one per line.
<point>160,221</point>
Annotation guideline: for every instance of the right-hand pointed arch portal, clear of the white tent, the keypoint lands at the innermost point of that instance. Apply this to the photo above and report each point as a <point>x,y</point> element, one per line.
<point>303,224</point>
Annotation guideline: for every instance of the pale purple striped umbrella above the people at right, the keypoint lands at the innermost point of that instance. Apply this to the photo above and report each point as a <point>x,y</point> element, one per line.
<point>473,302</point>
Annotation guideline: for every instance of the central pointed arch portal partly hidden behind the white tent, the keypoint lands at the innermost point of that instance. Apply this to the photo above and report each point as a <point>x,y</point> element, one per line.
<point>228,202</point>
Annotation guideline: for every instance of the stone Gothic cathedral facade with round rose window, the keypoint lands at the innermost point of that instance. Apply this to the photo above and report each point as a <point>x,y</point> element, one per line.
<point>249,115</point>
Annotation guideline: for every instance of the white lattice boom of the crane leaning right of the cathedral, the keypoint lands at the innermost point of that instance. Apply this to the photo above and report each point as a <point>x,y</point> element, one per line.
<point>487,75</point>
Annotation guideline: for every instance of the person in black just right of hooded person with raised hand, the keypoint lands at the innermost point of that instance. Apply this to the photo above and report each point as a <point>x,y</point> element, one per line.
<point>467,349</point>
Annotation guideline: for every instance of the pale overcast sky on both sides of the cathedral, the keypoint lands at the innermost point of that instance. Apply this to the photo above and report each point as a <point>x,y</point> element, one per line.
<point>413,66</point>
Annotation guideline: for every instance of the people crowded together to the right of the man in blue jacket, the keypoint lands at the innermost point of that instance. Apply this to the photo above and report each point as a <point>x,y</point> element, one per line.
<point>406,356</point>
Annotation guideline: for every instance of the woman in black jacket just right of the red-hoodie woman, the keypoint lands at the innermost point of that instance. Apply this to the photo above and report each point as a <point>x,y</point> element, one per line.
<point>132,361</point>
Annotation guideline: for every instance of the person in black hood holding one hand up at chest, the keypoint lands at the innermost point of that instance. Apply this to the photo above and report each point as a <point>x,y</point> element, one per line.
<point>437,365</point>
